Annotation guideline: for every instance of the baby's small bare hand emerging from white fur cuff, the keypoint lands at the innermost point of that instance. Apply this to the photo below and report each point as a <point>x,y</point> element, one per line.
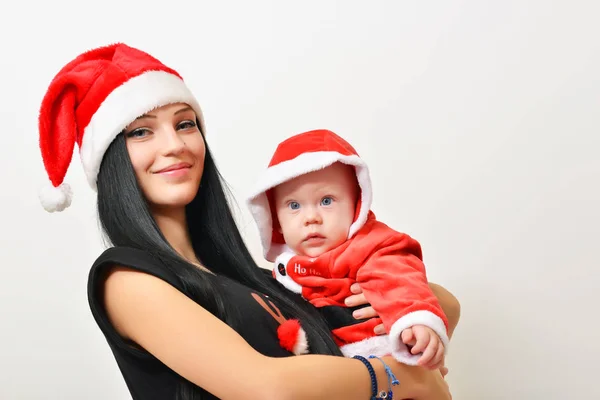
<point>424,340</point>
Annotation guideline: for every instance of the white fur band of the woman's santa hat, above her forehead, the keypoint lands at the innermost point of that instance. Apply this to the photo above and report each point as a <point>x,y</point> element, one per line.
<point>123,105</point>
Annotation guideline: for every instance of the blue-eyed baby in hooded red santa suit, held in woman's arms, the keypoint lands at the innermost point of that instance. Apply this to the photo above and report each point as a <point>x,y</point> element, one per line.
<point>312,208</point>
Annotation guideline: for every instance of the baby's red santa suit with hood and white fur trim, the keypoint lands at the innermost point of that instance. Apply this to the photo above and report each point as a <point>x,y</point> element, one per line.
<point>387,264</point>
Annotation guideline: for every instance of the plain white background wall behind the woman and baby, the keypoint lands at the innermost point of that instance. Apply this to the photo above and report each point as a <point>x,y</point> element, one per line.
<point>480,121</point>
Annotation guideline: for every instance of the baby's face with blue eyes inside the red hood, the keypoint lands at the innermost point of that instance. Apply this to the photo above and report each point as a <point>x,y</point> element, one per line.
<point>315,211</point>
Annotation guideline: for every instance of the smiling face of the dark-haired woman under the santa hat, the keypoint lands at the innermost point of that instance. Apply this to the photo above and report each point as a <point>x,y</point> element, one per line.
<point>167,152</point>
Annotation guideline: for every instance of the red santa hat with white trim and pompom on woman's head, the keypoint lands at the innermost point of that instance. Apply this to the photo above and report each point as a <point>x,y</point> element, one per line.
<point>91,100</point>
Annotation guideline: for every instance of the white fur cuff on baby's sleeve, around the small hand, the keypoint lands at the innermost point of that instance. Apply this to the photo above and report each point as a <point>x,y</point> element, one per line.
<point>399,349</point>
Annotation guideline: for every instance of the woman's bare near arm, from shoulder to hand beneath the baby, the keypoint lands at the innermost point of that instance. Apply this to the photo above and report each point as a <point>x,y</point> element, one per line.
<point>204,350</point>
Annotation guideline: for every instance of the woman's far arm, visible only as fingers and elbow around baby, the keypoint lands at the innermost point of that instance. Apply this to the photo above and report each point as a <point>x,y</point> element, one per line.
<point>448,302</point>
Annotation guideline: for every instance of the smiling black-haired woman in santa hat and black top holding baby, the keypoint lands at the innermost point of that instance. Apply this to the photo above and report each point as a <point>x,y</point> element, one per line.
<point>183,306</point>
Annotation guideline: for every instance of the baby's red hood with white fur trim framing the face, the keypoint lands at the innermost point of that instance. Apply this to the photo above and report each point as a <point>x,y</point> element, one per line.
<point>298,155</point>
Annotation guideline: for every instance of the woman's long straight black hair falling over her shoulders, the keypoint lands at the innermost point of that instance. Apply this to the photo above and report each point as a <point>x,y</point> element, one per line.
<point>126,220</point>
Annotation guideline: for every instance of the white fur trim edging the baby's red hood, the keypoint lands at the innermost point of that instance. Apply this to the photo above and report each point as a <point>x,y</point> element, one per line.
<point>303,164</point>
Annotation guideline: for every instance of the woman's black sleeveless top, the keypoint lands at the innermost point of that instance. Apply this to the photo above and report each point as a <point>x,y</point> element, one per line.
<point>146,377</point>
